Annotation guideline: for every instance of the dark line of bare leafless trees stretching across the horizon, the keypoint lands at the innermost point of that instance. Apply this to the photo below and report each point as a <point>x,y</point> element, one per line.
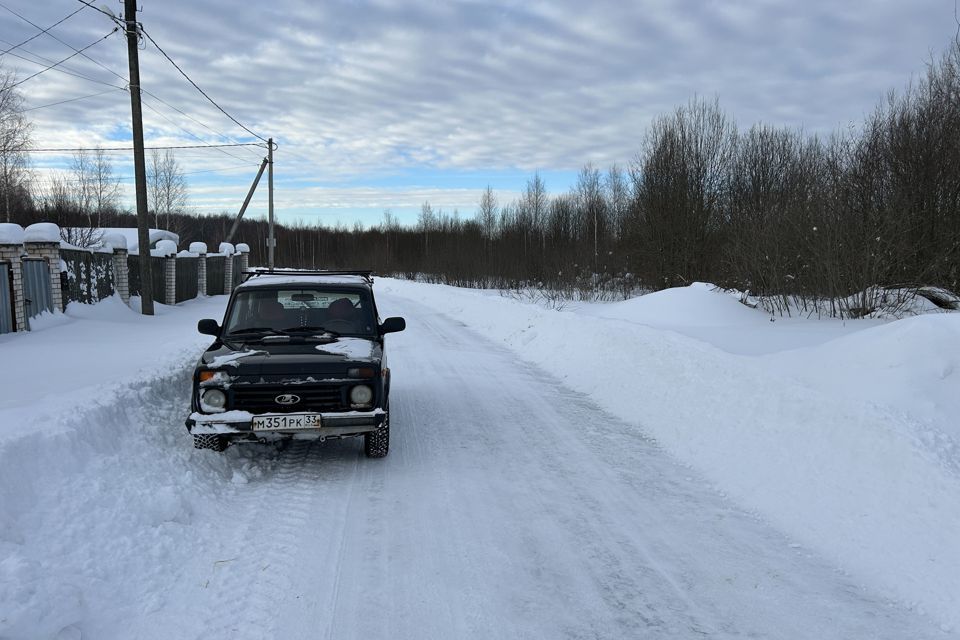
<point>826,224</point>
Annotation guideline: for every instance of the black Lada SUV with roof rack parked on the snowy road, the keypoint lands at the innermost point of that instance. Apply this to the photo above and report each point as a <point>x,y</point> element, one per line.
<point>300,355</point>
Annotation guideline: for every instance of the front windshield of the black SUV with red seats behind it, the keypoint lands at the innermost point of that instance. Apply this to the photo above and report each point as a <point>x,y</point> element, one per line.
<point>292,310</point>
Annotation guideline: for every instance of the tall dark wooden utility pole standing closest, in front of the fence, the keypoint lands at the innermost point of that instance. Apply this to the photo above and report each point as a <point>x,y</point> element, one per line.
<point>139,164</point>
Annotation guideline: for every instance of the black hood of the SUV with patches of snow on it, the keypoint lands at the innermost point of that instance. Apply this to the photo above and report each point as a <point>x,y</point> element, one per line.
<point>296,357</point>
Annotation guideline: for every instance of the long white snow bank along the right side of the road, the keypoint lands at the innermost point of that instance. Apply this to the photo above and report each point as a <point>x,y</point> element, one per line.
<point>871,485</point>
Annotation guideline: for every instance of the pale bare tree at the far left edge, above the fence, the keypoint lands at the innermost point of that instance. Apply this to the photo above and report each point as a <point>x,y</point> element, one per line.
<point>14,141</point>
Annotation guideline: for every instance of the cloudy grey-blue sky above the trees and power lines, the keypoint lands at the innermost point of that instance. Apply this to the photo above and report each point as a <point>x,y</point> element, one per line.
<point>389,103</point>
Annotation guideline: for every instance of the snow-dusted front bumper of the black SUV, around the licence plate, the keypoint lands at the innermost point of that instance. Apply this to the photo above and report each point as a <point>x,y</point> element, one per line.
<point>237,425</point>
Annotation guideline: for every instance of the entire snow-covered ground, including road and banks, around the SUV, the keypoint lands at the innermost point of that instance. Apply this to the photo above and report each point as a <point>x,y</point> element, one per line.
<point>672,466</point>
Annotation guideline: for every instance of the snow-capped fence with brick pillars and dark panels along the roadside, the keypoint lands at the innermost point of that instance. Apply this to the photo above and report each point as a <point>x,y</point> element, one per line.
<point>40,272</point>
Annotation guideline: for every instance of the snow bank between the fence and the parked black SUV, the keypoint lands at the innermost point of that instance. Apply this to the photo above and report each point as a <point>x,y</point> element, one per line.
<point>79,470</point>
